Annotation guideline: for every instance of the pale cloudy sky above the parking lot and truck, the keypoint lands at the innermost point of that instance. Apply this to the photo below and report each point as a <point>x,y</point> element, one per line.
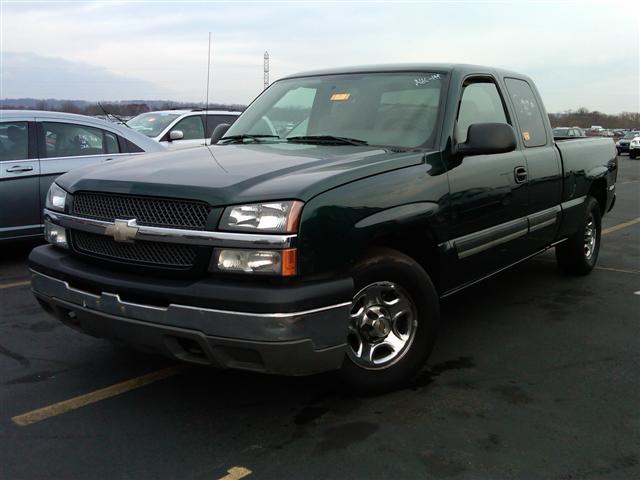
<point>580,54</point>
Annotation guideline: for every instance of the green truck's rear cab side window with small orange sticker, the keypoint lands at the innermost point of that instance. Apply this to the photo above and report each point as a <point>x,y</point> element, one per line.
<point>528,112</point>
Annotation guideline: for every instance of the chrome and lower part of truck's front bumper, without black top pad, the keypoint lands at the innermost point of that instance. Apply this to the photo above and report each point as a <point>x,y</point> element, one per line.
<point>294,343</point>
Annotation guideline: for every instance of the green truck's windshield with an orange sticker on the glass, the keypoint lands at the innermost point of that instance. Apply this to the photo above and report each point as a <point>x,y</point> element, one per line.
<point>390,109</point>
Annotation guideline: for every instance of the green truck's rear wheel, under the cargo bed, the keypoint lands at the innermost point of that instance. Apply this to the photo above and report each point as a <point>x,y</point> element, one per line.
<point>579,253</point>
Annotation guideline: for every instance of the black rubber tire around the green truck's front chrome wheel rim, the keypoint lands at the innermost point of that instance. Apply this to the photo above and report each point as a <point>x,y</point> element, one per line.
<point>385,266</point>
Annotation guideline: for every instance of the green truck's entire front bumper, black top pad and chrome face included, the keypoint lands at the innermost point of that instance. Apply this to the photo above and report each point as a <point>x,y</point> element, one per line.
<point>303,335</point>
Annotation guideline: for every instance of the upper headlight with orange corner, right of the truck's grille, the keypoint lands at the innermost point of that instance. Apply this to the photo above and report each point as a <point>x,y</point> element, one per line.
<point>271,217</point>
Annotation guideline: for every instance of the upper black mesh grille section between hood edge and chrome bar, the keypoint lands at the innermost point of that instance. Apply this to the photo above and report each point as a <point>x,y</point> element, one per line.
<point>160,212</point>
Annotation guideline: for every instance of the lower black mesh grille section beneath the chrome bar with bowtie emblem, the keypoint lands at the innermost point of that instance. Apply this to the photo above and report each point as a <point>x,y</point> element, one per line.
<point>150,253</point>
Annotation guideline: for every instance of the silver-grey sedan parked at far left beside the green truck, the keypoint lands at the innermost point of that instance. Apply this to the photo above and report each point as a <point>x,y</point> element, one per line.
<point>37,146</point>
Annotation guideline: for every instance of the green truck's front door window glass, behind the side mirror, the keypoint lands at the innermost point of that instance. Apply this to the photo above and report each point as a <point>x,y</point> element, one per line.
<point>480,103</point>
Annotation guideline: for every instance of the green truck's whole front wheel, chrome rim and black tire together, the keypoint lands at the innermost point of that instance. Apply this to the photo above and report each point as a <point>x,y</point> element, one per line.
<point>393,322</point>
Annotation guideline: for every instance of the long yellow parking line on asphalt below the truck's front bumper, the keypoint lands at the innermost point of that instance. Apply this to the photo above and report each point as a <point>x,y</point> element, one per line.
<point>80,401</point>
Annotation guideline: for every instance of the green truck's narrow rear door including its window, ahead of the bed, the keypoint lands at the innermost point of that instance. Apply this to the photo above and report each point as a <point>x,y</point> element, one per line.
<point>544,165</point>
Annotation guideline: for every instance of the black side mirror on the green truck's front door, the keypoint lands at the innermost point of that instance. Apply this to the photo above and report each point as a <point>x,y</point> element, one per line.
<point>488,138</point>
